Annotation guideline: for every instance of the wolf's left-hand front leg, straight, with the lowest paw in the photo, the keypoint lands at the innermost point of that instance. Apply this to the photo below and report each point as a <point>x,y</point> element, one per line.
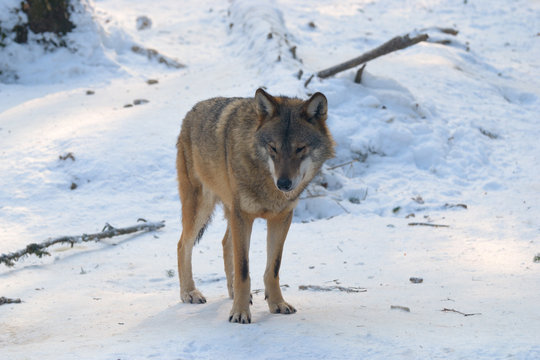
<point>240,225</point>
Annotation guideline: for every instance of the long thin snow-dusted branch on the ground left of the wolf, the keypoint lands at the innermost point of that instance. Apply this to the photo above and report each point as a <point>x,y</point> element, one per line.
<point>107,232</point>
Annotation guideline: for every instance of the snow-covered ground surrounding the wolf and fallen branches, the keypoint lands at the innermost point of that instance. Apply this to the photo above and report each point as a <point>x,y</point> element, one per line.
<point>439,134</point>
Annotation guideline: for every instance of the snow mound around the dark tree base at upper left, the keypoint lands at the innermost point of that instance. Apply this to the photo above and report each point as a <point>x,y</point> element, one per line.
<point>97,44</point>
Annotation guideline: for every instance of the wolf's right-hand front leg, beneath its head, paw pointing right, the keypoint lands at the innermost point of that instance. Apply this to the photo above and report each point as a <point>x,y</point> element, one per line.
<point>277,232</point>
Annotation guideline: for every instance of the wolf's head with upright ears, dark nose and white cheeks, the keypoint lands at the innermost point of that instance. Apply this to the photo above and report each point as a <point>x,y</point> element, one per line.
<point>292,137</point>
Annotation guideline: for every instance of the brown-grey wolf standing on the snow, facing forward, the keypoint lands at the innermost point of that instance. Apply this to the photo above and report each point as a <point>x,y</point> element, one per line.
<point>255,156</point>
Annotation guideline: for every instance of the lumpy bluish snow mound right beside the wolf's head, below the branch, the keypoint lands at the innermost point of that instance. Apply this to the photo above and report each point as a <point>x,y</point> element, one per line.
<point>383,131</point>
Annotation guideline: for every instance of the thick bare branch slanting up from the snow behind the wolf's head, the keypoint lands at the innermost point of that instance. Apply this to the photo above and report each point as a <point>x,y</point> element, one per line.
<point>397,43</point>
